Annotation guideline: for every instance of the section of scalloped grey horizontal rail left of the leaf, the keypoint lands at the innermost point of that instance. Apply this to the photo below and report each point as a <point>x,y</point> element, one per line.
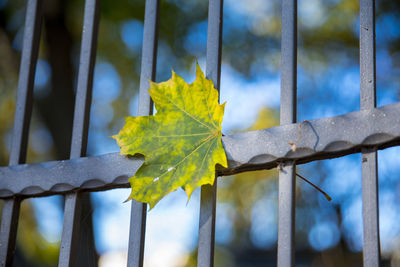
<point>56,177</point>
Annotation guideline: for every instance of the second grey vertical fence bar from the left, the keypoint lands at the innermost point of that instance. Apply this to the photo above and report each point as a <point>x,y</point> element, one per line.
<point>75,202</point>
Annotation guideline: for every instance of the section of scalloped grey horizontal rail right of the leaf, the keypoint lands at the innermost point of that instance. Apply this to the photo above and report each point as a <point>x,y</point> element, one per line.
<point>320,139</point>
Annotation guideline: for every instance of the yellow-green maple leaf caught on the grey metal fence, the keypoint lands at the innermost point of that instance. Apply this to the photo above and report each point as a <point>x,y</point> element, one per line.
<point>181,142</point>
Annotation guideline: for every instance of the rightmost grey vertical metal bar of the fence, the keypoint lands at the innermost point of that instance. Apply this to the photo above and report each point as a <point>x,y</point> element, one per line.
<point>370,184</point>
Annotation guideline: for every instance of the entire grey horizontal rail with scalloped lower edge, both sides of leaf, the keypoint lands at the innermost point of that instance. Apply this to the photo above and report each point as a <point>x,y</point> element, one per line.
<point>262,149</point>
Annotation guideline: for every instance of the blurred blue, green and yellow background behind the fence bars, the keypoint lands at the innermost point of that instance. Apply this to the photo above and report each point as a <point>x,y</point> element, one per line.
<point>327,233</point>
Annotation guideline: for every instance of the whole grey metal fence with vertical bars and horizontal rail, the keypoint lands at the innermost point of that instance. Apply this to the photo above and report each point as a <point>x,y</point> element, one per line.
<point>363,131</point>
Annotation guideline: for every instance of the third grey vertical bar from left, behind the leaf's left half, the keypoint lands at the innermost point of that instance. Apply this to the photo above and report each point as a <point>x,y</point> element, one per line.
<point>148,71</point>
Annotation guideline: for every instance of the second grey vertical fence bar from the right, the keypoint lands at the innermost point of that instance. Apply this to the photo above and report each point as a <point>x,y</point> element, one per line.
<point>287,182</point>
